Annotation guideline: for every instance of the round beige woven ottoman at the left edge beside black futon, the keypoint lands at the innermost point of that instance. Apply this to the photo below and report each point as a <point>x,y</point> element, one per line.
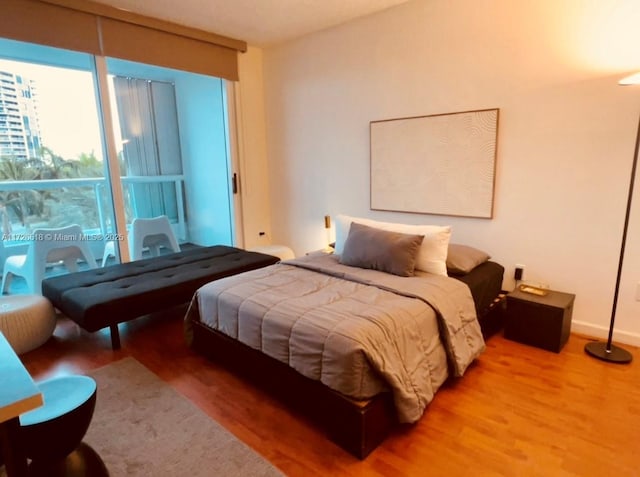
<point>27,321</point>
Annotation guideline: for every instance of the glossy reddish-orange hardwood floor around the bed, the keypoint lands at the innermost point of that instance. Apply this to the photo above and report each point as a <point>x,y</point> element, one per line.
<point>519,410</point>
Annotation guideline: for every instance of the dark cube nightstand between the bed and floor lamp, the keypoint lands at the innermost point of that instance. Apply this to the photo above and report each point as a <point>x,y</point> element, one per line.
<point>541,321</point>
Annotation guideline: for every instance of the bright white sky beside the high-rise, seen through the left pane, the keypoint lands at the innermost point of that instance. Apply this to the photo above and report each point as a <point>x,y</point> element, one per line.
<point>67,109</point>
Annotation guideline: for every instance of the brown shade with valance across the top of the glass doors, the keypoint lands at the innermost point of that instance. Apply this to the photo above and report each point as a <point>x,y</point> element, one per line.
<point>83,25</point>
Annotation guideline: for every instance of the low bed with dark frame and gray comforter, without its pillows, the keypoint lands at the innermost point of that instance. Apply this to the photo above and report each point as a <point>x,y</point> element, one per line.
<point>356,349</point>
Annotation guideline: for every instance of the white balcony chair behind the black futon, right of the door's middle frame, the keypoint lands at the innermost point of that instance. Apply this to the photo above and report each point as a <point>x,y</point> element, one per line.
<point>153,234</point>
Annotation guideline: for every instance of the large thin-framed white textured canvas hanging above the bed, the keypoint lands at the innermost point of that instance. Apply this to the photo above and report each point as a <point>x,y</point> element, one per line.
<point>442,164</point>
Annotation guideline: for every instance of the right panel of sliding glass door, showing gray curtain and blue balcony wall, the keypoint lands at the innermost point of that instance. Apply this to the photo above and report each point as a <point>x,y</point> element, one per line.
<point>171,134</point>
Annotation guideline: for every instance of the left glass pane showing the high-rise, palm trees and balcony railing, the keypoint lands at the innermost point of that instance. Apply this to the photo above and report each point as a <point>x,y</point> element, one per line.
<point>51,164</point>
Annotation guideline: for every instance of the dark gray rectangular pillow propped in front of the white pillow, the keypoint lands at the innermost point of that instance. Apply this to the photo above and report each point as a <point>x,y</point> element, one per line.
<point>391,252</point>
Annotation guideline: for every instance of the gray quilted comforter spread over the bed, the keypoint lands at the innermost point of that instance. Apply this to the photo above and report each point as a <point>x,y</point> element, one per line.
<point>357,331</point>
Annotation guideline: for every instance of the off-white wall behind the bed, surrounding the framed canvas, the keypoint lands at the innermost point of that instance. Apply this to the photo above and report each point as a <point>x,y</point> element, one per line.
<point>566,134</point>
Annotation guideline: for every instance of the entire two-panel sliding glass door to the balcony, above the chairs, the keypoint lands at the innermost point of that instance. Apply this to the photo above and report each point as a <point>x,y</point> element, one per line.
<point>169,144</point>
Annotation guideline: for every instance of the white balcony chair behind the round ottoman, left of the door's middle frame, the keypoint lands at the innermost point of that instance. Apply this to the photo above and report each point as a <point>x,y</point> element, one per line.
<point>49,246</point>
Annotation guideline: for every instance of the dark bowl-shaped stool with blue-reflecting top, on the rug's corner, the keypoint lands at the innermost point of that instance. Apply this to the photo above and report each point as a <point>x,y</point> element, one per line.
<point>52,434</point>
